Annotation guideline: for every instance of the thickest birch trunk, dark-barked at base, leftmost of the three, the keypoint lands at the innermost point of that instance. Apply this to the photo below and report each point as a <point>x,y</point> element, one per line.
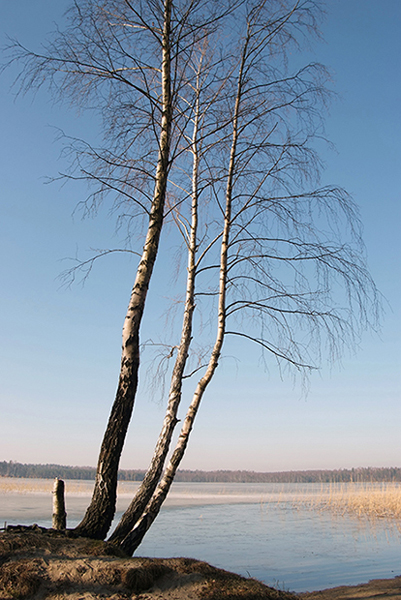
<point>100,512</point>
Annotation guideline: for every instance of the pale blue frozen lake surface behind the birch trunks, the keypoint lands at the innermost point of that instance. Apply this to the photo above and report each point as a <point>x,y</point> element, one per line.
<point>256,530</point>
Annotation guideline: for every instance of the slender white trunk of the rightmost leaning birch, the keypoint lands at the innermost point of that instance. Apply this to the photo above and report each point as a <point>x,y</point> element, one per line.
<point>136,535</point>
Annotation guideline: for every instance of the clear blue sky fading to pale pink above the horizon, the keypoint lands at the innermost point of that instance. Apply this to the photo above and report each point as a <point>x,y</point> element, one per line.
<point>60,348</point>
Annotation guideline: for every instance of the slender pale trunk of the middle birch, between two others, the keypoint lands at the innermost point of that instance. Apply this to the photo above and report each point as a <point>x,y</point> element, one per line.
<point>152,477</point>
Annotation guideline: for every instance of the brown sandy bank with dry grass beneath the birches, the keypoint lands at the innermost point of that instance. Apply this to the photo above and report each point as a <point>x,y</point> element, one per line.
<point>38,565</point>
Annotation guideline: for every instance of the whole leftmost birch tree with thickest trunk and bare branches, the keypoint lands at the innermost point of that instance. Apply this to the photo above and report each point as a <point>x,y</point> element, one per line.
<point>129,61</point>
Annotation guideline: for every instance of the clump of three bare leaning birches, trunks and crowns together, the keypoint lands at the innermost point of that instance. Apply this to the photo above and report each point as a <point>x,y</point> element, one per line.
<point>210,123</point>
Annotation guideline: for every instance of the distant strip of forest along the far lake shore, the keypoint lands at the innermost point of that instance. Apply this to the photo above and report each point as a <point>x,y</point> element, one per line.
<point>361,474</point>
